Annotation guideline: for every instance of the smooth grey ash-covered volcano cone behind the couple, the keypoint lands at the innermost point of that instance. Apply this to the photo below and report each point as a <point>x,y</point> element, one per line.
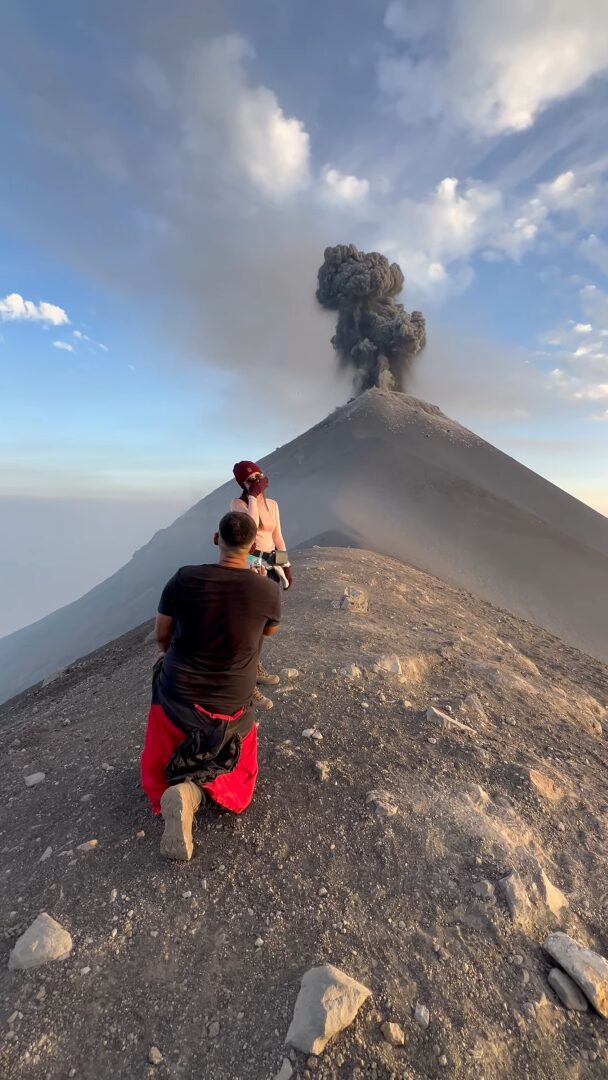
<point>388,474</point>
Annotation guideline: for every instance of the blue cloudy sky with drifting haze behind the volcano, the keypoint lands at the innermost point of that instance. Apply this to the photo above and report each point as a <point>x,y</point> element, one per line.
<point>170,178</point>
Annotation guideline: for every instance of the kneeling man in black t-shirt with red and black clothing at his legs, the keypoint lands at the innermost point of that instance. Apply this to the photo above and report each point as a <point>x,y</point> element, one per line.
<point>201,740</point>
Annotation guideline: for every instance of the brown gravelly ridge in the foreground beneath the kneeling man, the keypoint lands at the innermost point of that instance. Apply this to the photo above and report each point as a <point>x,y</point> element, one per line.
<point>165,953</point>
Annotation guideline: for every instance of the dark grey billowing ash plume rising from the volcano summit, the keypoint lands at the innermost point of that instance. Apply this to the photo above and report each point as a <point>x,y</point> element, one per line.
<point>375,336</point>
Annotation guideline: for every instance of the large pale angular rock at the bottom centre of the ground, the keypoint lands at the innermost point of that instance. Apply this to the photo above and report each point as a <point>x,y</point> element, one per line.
<point>328,1003</point>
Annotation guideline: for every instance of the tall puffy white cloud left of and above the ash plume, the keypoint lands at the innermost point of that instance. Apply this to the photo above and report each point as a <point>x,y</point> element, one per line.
<point>246,123</point>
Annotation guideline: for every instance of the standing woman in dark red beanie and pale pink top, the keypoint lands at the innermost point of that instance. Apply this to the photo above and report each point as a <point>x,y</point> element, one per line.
<point>265,512</point>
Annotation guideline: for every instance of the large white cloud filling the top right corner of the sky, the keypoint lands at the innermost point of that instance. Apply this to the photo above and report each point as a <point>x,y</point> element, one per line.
<point>492,67</point>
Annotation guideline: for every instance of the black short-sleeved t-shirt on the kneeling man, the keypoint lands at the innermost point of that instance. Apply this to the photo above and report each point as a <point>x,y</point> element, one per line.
<point>220,618</point>
